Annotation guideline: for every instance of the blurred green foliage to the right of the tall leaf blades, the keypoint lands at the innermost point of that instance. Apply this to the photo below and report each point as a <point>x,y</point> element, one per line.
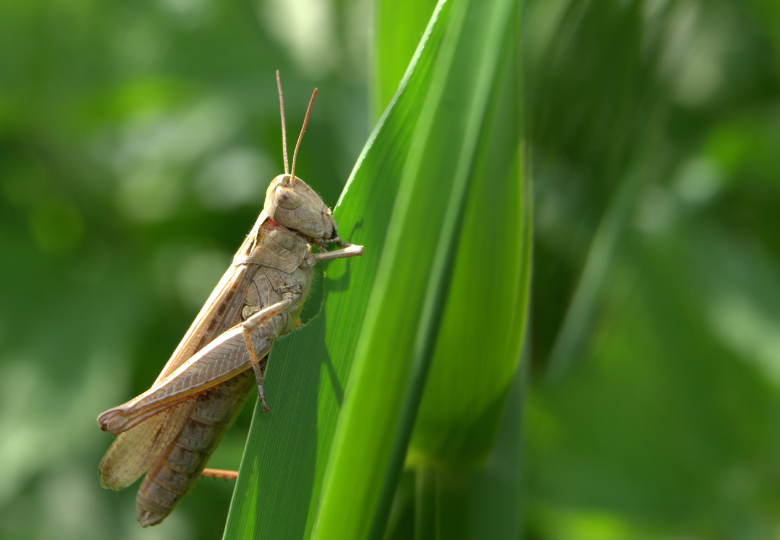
<point>651,403</point>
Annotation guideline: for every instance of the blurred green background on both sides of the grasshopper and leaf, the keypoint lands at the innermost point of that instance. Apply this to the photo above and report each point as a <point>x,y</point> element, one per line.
<point>136,143</point>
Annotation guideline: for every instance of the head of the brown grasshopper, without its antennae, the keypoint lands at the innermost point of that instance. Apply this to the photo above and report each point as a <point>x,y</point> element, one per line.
<point>294,205</point>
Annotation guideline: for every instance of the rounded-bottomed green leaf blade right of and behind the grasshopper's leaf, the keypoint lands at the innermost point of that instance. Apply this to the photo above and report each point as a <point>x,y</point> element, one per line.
<point>476,356</point>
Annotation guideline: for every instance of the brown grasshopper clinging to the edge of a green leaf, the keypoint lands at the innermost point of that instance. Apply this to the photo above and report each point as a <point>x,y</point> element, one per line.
<point>170,431</point>
